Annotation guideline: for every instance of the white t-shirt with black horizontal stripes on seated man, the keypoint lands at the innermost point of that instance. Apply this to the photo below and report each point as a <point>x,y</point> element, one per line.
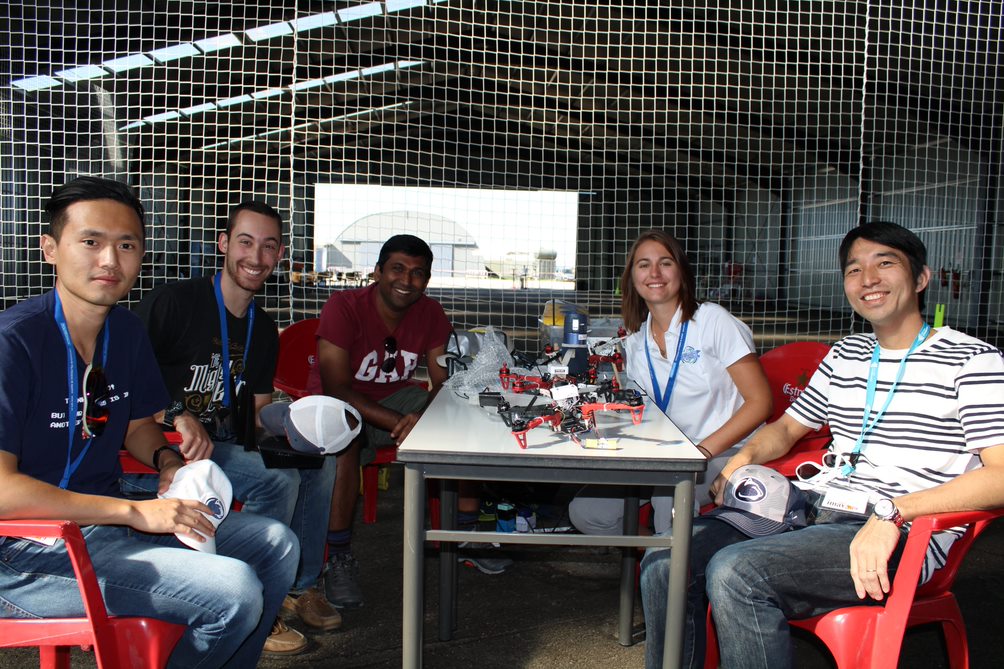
<point>948,407</point>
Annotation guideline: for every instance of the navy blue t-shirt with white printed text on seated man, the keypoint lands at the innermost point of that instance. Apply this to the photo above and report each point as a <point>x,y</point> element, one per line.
<point>34,394</point>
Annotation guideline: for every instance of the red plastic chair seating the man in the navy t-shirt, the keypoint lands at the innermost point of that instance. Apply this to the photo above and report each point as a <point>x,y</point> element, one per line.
<point>117,641</point>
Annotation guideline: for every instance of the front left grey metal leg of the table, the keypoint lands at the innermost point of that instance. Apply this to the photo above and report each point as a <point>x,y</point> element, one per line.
<point>412,607</point>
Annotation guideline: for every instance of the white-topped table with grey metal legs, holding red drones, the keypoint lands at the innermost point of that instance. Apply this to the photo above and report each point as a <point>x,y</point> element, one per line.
<point>458,440</point>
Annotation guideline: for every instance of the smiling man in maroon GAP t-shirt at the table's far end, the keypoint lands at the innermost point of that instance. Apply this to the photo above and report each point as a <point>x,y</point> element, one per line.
<point>370,343</point>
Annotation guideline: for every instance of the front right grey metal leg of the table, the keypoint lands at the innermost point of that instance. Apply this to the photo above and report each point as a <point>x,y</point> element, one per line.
<point>676,608</point>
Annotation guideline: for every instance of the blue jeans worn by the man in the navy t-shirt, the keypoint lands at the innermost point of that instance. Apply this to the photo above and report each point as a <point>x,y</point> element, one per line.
<point>228,601</point>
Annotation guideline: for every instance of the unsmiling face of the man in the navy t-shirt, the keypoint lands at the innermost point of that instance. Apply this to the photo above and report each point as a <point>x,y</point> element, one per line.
<point>99,254</point>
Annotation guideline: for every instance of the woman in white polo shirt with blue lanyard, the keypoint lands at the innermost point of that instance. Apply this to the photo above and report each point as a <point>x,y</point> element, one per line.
<point>696,362</point>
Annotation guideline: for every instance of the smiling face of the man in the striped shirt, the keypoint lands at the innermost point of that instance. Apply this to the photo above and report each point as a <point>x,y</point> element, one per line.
<point>881,288</point>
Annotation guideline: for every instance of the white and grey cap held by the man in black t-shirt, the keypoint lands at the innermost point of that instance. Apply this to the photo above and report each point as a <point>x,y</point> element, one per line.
<point>317,424</point>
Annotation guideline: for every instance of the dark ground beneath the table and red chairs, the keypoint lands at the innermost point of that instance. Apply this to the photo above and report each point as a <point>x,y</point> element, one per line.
<point>558,608</point>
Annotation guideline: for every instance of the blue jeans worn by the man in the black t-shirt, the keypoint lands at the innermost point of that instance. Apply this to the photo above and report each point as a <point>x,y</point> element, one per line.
<point>300,499</point>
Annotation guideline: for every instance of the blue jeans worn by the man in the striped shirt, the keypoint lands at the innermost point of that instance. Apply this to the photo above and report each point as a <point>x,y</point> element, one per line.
<point>755,587</point>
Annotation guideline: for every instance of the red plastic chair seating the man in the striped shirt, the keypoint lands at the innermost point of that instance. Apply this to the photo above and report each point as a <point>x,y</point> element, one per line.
<point>872,636</point>
